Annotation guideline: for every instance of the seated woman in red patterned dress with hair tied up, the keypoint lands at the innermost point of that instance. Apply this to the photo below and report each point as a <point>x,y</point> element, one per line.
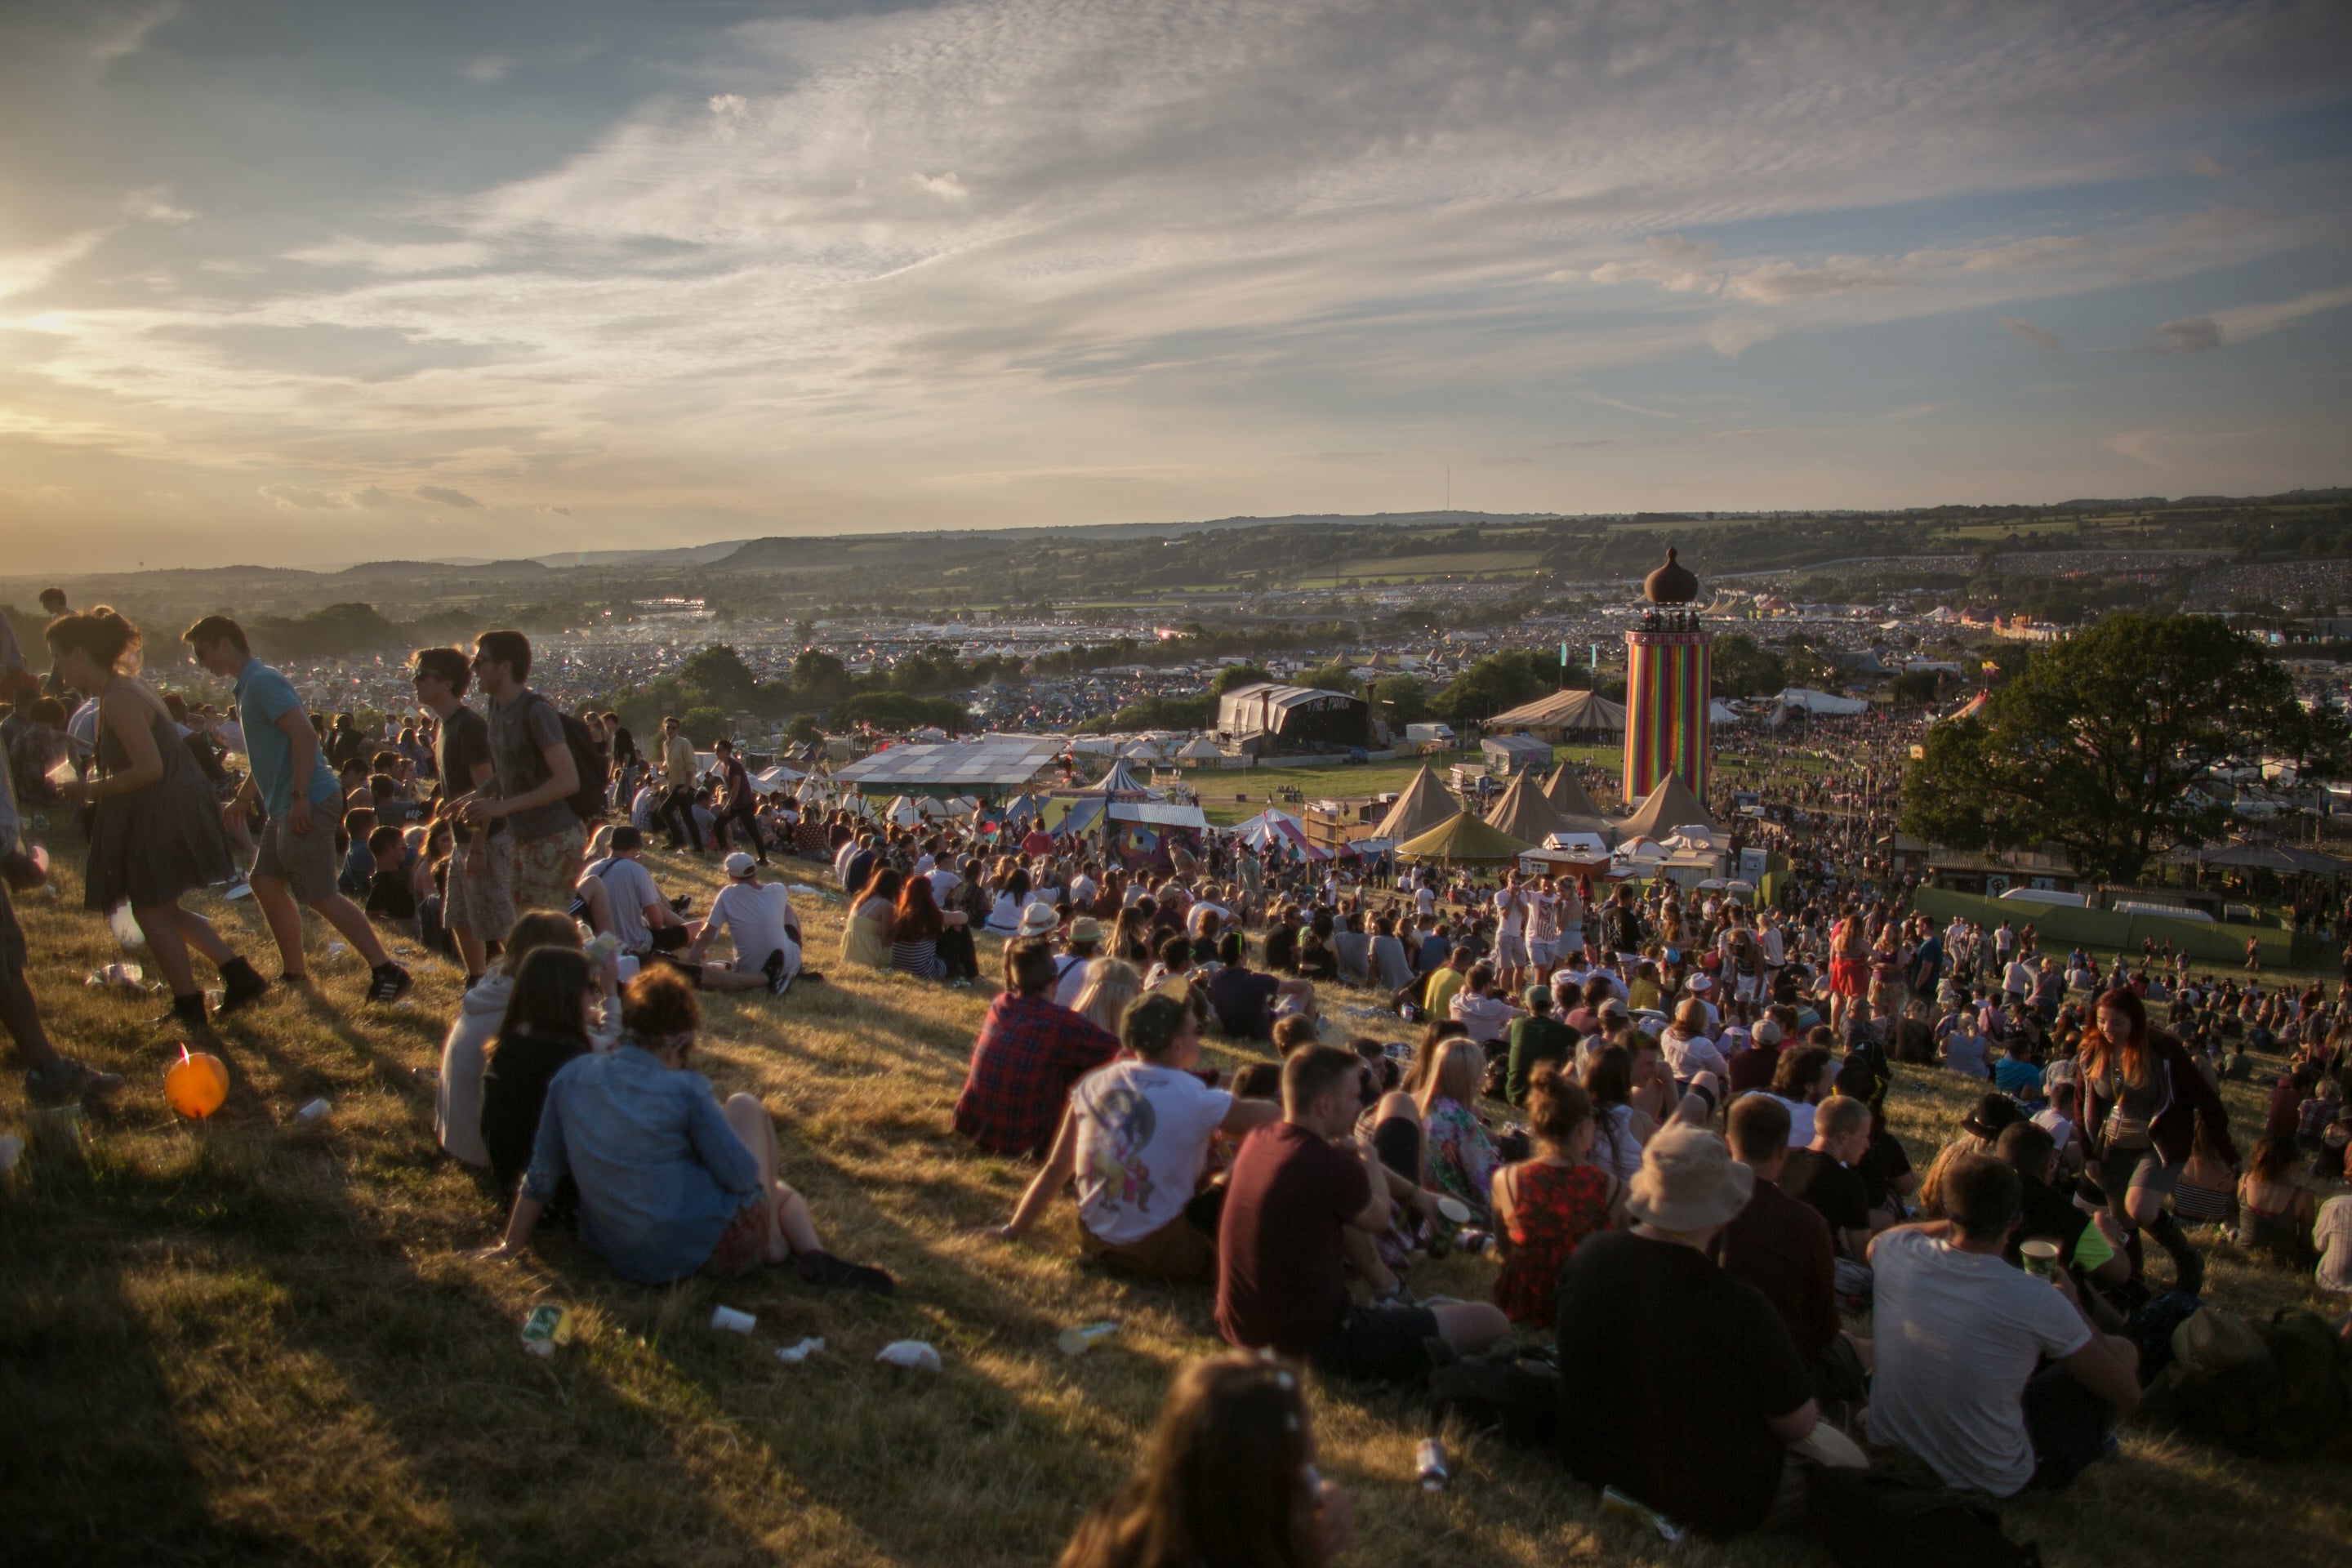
<point>1549,1205</point>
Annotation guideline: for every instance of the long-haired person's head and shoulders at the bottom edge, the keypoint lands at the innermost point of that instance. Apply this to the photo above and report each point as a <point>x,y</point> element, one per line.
<point>1229,1480</point>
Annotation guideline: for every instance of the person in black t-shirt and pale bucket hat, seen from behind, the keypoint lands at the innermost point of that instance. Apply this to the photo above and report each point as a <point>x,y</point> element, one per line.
<point>1638,1407</point>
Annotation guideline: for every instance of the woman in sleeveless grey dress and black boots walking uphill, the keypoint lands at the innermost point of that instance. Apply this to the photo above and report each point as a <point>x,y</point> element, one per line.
<point>156,826</point>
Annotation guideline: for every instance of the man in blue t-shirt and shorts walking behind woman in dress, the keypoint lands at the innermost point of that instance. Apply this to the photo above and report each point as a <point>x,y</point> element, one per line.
<point>295,862</point>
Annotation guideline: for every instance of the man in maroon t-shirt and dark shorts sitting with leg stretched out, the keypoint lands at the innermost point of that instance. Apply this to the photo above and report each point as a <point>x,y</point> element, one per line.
<point>1281,1254</point>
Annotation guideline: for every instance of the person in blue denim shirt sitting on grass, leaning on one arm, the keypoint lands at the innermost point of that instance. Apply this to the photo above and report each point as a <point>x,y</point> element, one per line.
<point>669,1181</point>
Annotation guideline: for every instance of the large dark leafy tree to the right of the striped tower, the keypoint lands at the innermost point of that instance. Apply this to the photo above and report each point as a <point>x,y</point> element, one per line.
<point>2099,742</point>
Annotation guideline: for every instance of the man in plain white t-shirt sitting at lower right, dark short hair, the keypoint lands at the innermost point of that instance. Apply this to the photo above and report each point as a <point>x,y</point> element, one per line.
<point>1963,1341</point>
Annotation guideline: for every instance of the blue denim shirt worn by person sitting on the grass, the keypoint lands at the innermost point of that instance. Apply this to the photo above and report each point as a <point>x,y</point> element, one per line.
<point>655,1162</point>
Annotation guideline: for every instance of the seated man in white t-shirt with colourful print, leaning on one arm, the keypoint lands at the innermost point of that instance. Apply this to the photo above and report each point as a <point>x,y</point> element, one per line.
<point>1137,1137</point>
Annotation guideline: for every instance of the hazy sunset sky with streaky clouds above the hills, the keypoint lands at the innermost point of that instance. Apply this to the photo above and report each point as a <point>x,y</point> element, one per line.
<point>330,281</point>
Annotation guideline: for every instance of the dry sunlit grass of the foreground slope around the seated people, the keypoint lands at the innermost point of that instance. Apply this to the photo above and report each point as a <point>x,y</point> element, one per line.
<point>265,1341</point>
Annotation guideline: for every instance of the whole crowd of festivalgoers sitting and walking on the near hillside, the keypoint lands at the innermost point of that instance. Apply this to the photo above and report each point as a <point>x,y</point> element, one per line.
<point>1704,1158</point>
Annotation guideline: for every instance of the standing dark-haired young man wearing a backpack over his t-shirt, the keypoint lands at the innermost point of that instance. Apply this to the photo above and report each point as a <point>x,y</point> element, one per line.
<point>537,777</point>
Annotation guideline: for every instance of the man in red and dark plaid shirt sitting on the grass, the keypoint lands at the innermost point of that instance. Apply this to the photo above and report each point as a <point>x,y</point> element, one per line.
<point>1029,1054</point>
